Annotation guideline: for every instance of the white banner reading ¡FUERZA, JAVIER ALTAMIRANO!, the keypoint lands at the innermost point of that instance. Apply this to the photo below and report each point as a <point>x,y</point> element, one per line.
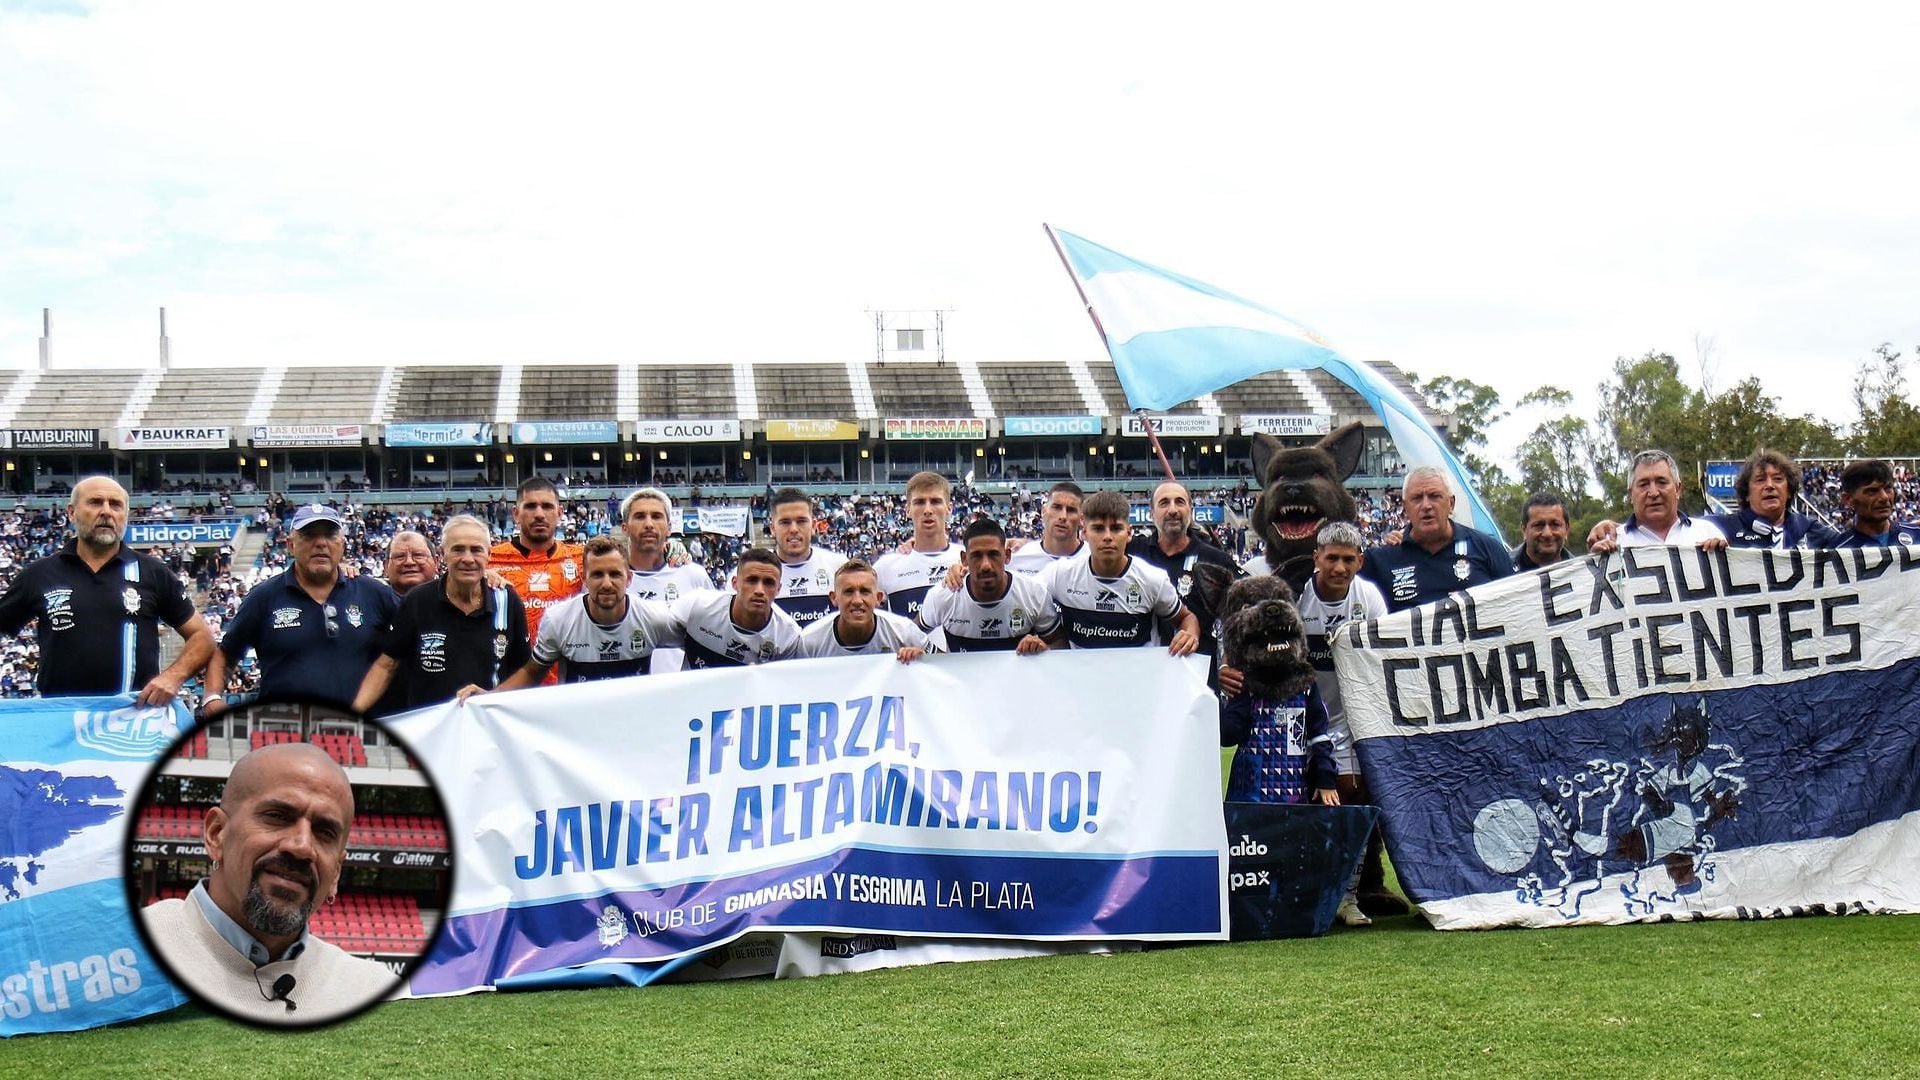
<point>644,820</point>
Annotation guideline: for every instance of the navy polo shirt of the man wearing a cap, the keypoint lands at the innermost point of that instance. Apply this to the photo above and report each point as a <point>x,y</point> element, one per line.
<point>299,652</point>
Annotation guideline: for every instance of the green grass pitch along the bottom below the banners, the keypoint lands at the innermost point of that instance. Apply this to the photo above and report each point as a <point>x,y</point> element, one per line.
<point>1787,998</point>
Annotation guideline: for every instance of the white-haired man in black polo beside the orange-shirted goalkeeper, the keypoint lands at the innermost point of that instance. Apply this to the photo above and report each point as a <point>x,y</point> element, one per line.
<point>452,633</point>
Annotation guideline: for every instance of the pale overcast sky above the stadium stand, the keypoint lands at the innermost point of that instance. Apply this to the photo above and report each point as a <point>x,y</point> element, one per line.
<point>1514,197</point>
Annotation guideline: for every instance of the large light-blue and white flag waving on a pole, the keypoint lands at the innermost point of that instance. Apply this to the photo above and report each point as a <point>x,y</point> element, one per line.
<point>1176,339</point>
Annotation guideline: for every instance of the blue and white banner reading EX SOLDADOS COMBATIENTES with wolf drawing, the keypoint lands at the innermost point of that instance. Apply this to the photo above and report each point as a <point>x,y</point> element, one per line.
<point>1656,735</point>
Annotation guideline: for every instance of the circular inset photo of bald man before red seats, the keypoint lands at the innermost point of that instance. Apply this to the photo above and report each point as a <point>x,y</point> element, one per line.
<point>289,864</point>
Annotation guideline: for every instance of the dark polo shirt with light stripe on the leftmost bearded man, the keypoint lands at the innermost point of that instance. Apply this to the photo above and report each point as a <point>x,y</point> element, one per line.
<point>99,631</point>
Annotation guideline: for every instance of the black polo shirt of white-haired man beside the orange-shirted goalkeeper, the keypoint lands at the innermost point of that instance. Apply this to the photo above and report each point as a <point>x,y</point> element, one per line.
<point>443,649</point>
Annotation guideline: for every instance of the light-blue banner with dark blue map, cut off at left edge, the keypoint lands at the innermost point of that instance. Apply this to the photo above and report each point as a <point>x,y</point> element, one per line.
<point>70,775</point>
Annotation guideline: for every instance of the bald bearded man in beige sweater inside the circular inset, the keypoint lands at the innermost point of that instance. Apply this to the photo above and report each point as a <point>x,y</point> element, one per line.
<point>239,943</point>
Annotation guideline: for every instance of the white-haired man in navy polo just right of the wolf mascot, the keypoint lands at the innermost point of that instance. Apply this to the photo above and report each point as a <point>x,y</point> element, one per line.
<point>1437,554</point>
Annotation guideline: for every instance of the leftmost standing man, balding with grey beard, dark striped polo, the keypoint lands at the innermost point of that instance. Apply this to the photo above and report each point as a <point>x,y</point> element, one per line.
<point>97,595</point>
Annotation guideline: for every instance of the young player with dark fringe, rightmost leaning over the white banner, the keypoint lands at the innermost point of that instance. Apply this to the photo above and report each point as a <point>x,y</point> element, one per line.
<point>1111,599</point>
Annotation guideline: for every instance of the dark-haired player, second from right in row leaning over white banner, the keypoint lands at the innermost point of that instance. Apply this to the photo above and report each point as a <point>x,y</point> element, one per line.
<point>994,610</point>
